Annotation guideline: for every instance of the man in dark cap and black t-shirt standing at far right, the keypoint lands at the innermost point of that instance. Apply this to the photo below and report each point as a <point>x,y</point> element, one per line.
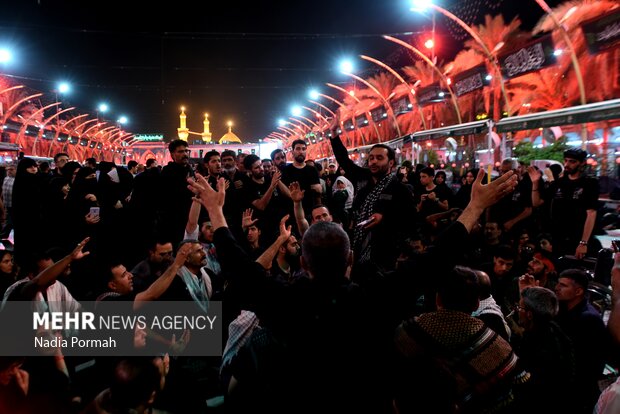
<point>573,200</point>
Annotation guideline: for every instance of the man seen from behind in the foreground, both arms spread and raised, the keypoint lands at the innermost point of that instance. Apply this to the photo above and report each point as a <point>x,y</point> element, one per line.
<point>316,329</point>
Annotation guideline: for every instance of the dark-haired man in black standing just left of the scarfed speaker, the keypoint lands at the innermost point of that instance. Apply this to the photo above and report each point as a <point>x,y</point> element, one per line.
<point>305,175</point>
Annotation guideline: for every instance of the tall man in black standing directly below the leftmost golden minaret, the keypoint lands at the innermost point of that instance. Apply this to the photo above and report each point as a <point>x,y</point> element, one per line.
<point>176,198</point>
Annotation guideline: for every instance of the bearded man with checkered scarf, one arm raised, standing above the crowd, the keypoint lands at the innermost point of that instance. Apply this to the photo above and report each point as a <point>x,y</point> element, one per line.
<point>382,208</point>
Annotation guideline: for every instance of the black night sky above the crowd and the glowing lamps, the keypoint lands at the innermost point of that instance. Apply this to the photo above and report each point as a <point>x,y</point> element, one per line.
<point>247,62</point>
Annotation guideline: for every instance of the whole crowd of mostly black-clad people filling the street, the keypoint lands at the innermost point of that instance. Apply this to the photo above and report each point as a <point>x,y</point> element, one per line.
<point>362,289</point>
